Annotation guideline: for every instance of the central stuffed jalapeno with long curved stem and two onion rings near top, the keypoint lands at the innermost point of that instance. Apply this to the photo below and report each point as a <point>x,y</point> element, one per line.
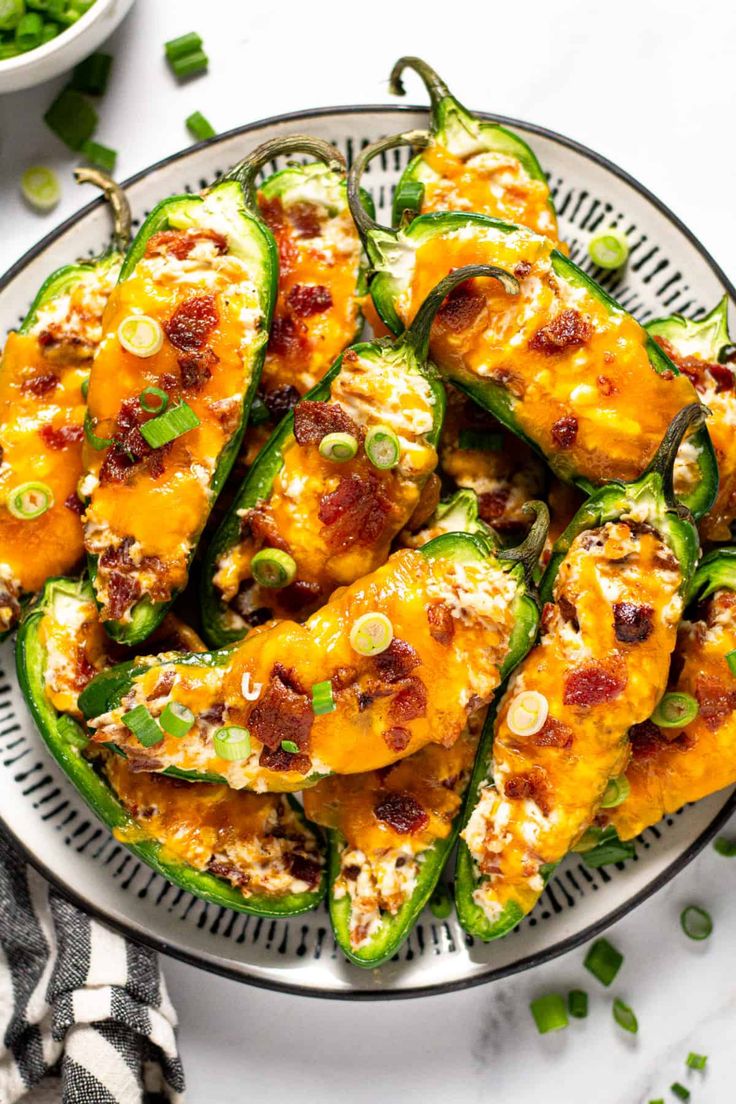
<point>325,493</point>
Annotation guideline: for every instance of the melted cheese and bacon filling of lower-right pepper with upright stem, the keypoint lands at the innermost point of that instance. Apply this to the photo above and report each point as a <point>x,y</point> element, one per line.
<point>602,666</point>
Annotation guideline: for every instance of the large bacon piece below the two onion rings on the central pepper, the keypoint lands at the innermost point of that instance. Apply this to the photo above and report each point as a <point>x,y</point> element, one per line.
<point>356,512</point>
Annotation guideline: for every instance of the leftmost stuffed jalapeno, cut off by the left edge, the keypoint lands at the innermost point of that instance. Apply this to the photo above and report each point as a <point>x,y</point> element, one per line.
<point>44,374</point>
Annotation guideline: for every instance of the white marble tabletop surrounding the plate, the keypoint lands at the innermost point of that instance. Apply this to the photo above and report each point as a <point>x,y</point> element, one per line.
<point>650,86</point>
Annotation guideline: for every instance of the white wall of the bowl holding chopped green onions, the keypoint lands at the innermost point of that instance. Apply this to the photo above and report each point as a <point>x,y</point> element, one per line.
<point>62,54</point>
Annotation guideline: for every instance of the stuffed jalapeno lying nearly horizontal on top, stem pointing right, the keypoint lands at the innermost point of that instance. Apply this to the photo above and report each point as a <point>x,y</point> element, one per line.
<point>398,661</point>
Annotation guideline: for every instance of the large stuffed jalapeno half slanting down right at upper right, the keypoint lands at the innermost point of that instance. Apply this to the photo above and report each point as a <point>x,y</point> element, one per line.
<point>562,365</point>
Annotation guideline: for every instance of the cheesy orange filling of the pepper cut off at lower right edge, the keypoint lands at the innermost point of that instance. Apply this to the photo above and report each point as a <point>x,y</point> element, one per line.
<point>673,767</point>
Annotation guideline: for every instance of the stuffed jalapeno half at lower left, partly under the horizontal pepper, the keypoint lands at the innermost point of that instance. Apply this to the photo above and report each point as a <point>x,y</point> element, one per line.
<point>255,854</point>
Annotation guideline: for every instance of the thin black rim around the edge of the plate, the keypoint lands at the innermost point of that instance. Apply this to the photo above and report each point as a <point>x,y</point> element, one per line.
<point>492,974</point>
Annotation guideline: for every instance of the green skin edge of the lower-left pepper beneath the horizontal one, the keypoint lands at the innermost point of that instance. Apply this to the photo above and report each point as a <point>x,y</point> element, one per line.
<point>100,795</point>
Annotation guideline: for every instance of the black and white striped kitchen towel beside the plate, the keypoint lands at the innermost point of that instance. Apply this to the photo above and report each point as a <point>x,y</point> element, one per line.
<point>78,1003</point>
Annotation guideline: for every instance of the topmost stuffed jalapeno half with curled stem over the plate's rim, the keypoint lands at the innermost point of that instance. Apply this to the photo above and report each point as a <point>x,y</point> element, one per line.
<point>471,165</point>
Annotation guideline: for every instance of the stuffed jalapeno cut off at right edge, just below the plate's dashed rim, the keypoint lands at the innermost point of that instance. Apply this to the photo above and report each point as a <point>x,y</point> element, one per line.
<point>705,353</point>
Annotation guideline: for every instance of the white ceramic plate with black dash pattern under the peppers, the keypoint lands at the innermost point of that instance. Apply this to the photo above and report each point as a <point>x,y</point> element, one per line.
<point>669,271</point>
